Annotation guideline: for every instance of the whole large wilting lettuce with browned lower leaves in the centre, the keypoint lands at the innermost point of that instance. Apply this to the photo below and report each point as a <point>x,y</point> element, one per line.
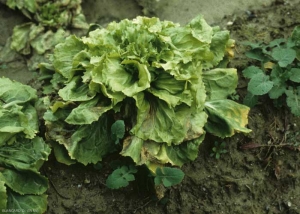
<point>166,82</point>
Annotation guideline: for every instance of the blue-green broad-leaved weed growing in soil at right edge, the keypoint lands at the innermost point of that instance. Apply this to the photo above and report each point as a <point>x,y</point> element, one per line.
<point>279,72</point>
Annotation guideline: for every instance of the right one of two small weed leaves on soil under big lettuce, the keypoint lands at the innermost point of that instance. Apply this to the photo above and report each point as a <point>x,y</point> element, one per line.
<point>168,176</point>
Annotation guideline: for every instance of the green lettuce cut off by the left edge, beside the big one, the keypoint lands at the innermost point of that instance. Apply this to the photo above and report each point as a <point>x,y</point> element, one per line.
<point>22,153</point>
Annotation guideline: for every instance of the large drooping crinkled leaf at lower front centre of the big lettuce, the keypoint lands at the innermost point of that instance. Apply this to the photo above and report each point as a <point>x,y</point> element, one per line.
<point>158,122</point>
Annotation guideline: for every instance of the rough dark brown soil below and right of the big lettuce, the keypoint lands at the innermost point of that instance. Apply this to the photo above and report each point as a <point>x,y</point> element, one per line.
<point>259,173</point>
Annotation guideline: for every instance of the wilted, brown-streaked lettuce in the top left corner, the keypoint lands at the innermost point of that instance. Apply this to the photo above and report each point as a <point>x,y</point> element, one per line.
<point>49,20</point>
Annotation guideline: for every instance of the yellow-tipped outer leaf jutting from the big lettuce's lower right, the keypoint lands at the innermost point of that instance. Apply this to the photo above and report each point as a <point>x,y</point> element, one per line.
<point>226,117</point>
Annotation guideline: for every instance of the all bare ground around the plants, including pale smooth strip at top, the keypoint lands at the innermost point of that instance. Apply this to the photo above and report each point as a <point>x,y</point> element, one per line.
<point>244,180</point>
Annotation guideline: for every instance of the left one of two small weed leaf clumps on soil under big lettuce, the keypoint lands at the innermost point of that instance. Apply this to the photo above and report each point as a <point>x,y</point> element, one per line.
<point>121,177</point>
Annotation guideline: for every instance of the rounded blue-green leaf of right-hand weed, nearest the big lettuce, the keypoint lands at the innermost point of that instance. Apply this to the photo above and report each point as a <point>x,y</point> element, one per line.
<point>260,84</point>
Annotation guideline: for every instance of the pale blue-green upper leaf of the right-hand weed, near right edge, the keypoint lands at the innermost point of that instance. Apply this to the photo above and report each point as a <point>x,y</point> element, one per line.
<point>284,56</point>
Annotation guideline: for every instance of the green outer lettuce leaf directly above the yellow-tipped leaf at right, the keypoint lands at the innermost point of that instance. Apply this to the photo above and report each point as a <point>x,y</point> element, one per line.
<point>220,82</point>
